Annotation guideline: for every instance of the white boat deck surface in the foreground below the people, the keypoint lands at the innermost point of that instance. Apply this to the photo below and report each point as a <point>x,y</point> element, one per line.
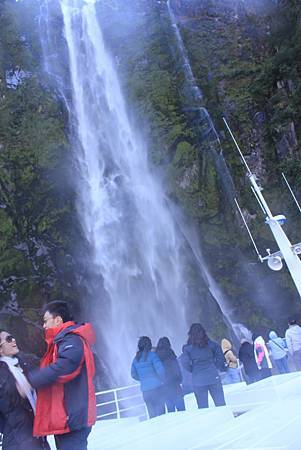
<point>270,418</point>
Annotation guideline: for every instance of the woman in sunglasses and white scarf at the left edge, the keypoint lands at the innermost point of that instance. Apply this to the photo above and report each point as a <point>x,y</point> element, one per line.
<point>17,400</point>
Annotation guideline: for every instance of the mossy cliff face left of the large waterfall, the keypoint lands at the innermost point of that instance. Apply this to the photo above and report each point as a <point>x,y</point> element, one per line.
<point>37,223</point>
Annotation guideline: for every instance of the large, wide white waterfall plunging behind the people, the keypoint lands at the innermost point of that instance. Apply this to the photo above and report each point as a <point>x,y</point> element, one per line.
<point>135,248</point>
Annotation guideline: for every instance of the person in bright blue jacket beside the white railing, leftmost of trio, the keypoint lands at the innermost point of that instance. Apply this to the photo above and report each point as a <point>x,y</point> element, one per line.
<point>149,371</point>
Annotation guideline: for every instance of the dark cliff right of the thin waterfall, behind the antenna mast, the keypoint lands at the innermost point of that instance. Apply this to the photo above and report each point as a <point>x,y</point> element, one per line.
<point>240,55</point>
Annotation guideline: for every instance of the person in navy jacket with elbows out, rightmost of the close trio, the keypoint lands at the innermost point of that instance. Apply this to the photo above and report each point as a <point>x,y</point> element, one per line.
<point>203,358</point>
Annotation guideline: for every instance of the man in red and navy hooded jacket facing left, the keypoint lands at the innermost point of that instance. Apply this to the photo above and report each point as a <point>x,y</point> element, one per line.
<point>66,404</point>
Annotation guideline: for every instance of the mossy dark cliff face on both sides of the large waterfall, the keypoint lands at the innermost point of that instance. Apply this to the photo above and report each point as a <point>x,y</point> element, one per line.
<point>245,58</point>
